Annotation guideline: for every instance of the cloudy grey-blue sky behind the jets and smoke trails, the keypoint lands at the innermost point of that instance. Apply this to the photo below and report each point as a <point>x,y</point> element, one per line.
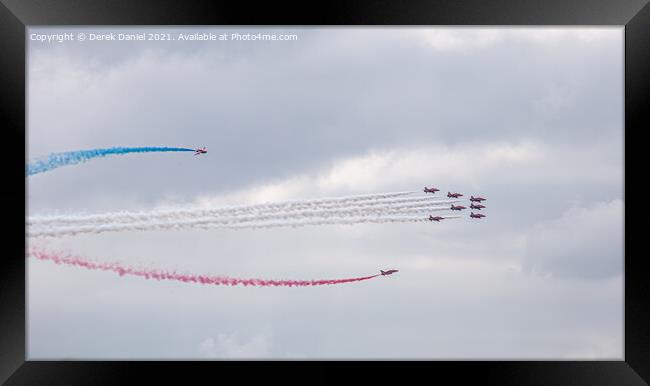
<point>530,118</point>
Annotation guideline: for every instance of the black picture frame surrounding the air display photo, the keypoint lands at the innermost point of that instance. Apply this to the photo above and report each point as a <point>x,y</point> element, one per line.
<point>15,15</point>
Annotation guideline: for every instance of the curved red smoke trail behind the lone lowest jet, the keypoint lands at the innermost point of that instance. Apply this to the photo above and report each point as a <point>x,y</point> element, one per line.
<point>186,278</point>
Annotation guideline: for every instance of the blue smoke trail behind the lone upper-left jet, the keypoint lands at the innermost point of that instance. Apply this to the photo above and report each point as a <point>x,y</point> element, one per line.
<point>56,160</point>
